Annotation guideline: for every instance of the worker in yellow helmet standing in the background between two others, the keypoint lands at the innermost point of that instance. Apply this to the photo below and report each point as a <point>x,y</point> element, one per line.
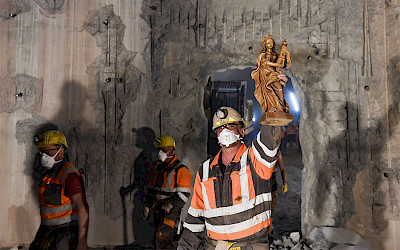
<point>168,192</point>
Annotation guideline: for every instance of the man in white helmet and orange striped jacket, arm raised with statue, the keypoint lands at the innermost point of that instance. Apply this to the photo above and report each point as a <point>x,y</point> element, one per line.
<point>232,199</point>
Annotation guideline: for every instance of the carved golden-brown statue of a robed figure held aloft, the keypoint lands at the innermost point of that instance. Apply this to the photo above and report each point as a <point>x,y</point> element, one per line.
<point>269,87</point>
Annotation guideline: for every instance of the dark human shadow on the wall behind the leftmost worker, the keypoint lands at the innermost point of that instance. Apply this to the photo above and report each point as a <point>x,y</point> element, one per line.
<point>86,142</point>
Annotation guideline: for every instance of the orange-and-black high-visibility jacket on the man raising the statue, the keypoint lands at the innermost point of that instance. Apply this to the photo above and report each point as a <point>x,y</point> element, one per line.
<point>234,205</point>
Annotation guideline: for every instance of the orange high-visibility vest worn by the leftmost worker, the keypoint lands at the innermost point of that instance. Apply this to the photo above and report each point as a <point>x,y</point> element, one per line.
<point>55,207</point>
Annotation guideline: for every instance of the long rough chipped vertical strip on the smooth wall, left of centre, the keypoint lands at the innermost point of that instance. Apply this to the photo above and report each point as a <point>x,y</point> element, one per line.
<point>114,81</point>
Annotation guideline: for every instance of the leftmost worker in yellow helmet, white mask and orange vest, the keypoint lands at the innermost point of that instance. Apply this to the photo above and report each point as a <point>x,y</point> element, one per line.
<point>63,207</point>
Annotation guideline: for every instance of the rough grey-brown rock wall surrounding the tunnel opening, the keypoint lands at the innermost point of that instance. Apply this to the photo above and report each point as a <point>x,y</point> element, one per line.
<point>104,72</point>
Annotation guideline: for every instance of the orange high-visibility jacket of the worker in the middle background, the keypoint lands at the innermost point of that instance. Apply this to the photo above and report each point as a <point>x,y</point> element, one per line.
<point>176,181</point>
